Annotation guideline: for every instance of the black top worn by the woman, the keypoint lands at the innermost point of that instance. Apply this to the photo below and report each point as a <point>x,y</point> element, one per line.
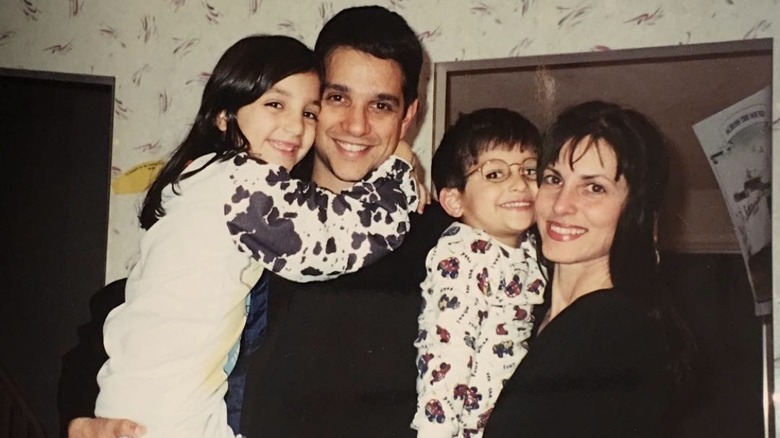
<point>598,369</point>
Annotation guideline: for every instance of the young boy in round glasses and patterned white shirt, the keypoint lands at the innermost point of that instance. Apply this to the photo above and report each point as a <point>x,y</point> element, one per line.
<point>482,276</point>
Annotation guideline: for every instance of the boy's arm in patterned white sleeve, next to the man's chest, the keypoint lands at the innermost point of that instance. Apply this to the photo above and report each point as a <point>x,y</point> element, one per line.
<point>446,343</point>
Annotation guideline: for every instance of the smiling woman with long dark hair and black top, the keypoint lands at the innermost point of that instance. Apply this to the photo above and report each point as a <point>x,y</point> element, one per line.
<point>602,362</point>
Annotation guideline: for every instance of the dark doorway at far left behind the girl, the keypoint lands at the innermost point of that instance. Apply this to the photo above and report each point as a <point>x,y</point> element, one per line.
<point>56,132</point>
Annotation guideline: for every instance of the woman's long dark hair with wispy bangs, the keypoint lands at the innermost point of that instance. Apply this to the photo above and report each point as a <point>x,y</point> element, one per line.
<point>641,152</point>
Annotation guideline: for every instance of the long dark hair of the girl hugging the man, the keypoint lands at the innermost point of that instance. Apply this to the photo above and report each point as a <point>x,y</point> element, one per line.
<point>245,71</point>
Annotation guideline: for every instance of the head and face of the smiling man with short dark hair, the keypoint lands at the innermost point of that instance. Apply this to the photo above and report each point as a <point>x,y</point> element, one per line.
<point>369,97</point>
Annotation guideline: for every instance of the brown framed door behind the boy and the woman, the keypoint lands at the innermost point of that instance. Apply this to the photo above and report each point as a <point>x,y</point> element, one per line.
<point>676,86</point>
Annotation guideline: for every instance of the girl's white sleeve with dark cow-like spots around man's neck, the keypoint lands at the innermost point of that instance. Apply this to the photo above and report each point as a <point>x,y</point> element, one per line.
<point>305,233</point>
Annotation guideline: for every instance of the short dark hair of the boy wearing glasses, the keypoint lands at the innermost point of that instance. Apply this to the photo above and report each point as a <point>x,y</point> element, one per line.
<point>475,133</point>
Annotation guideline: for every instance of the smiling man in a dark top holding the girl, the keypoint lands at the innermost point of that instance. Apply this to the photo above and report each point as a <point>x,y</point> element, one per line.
<point>338,358</point>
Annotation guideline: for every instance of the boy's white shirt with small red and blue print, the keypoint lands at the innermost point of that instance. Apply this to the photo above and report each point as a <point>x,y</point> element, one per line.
<point>476,318</point>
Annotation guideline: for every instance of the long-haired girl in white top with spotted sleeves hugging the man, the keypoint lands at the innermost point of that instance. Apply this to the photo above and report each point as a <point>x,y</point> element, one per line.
<point>222,210</point>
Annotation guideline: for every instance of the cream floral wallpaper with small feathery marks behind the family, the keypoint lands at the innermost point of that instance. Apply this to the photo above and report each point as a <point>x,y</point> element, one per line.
<point>161,52</point>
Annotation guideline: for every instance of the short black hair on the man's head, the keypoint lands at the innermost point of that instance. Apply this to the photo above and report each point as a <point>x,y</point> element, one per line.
<point>380,33</point>
